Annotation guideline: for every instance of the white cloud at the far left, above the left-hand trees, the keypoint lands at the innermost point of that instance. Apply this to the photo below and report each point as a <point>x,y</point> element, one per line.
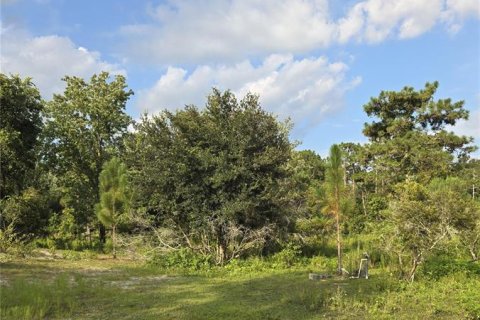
<point>47,59</point>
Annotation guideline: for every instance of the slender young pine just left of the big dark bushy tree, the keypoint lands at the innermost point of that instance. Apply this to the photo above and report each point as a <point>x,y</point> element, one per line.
<point>114,200</point>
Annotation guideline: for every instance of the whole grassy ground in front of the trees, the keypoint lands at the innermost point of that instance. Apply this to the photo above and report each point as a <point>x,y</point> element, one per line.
<point>102,288</point>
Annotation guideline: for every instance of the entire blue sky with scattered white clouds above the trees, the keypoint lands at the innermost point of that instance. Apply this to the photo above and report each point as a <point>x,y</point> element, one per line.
<point>315,61</point>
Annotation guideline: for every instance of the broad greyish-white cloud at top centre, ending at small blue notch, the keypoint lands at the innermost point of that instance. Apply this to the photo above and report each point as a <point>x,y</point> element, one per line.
<point>199,31</point>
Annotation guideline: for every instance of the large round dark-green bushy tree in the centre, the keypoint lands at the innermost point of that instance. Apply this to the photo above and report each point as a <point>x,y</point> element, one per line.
<point>213,175</point>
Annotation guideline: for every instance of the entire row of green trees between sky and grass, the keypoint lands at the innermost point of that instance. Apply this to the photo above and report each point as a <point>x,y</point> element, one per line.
<point>225,180</point>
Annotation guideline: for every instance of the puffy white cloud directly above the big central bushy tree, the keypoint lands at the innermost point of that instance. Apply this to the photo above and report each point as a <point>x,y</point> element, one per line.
<point>306,89</point>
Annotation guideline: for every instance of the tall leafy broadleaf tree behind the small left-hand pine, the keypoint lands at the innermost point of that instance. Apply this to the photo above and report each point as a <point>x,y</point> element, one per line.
<point>85,126</point>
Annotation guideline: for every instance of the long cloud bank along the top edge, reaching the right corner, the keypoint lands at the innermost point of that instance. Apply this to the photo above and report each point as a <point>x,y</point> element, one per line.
<point>185,32</point>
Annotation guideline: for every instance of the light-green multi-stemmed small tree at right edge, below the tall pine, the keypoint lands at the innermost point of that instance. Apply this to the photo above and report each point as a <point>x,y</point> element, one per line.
<point>425,217</point>
